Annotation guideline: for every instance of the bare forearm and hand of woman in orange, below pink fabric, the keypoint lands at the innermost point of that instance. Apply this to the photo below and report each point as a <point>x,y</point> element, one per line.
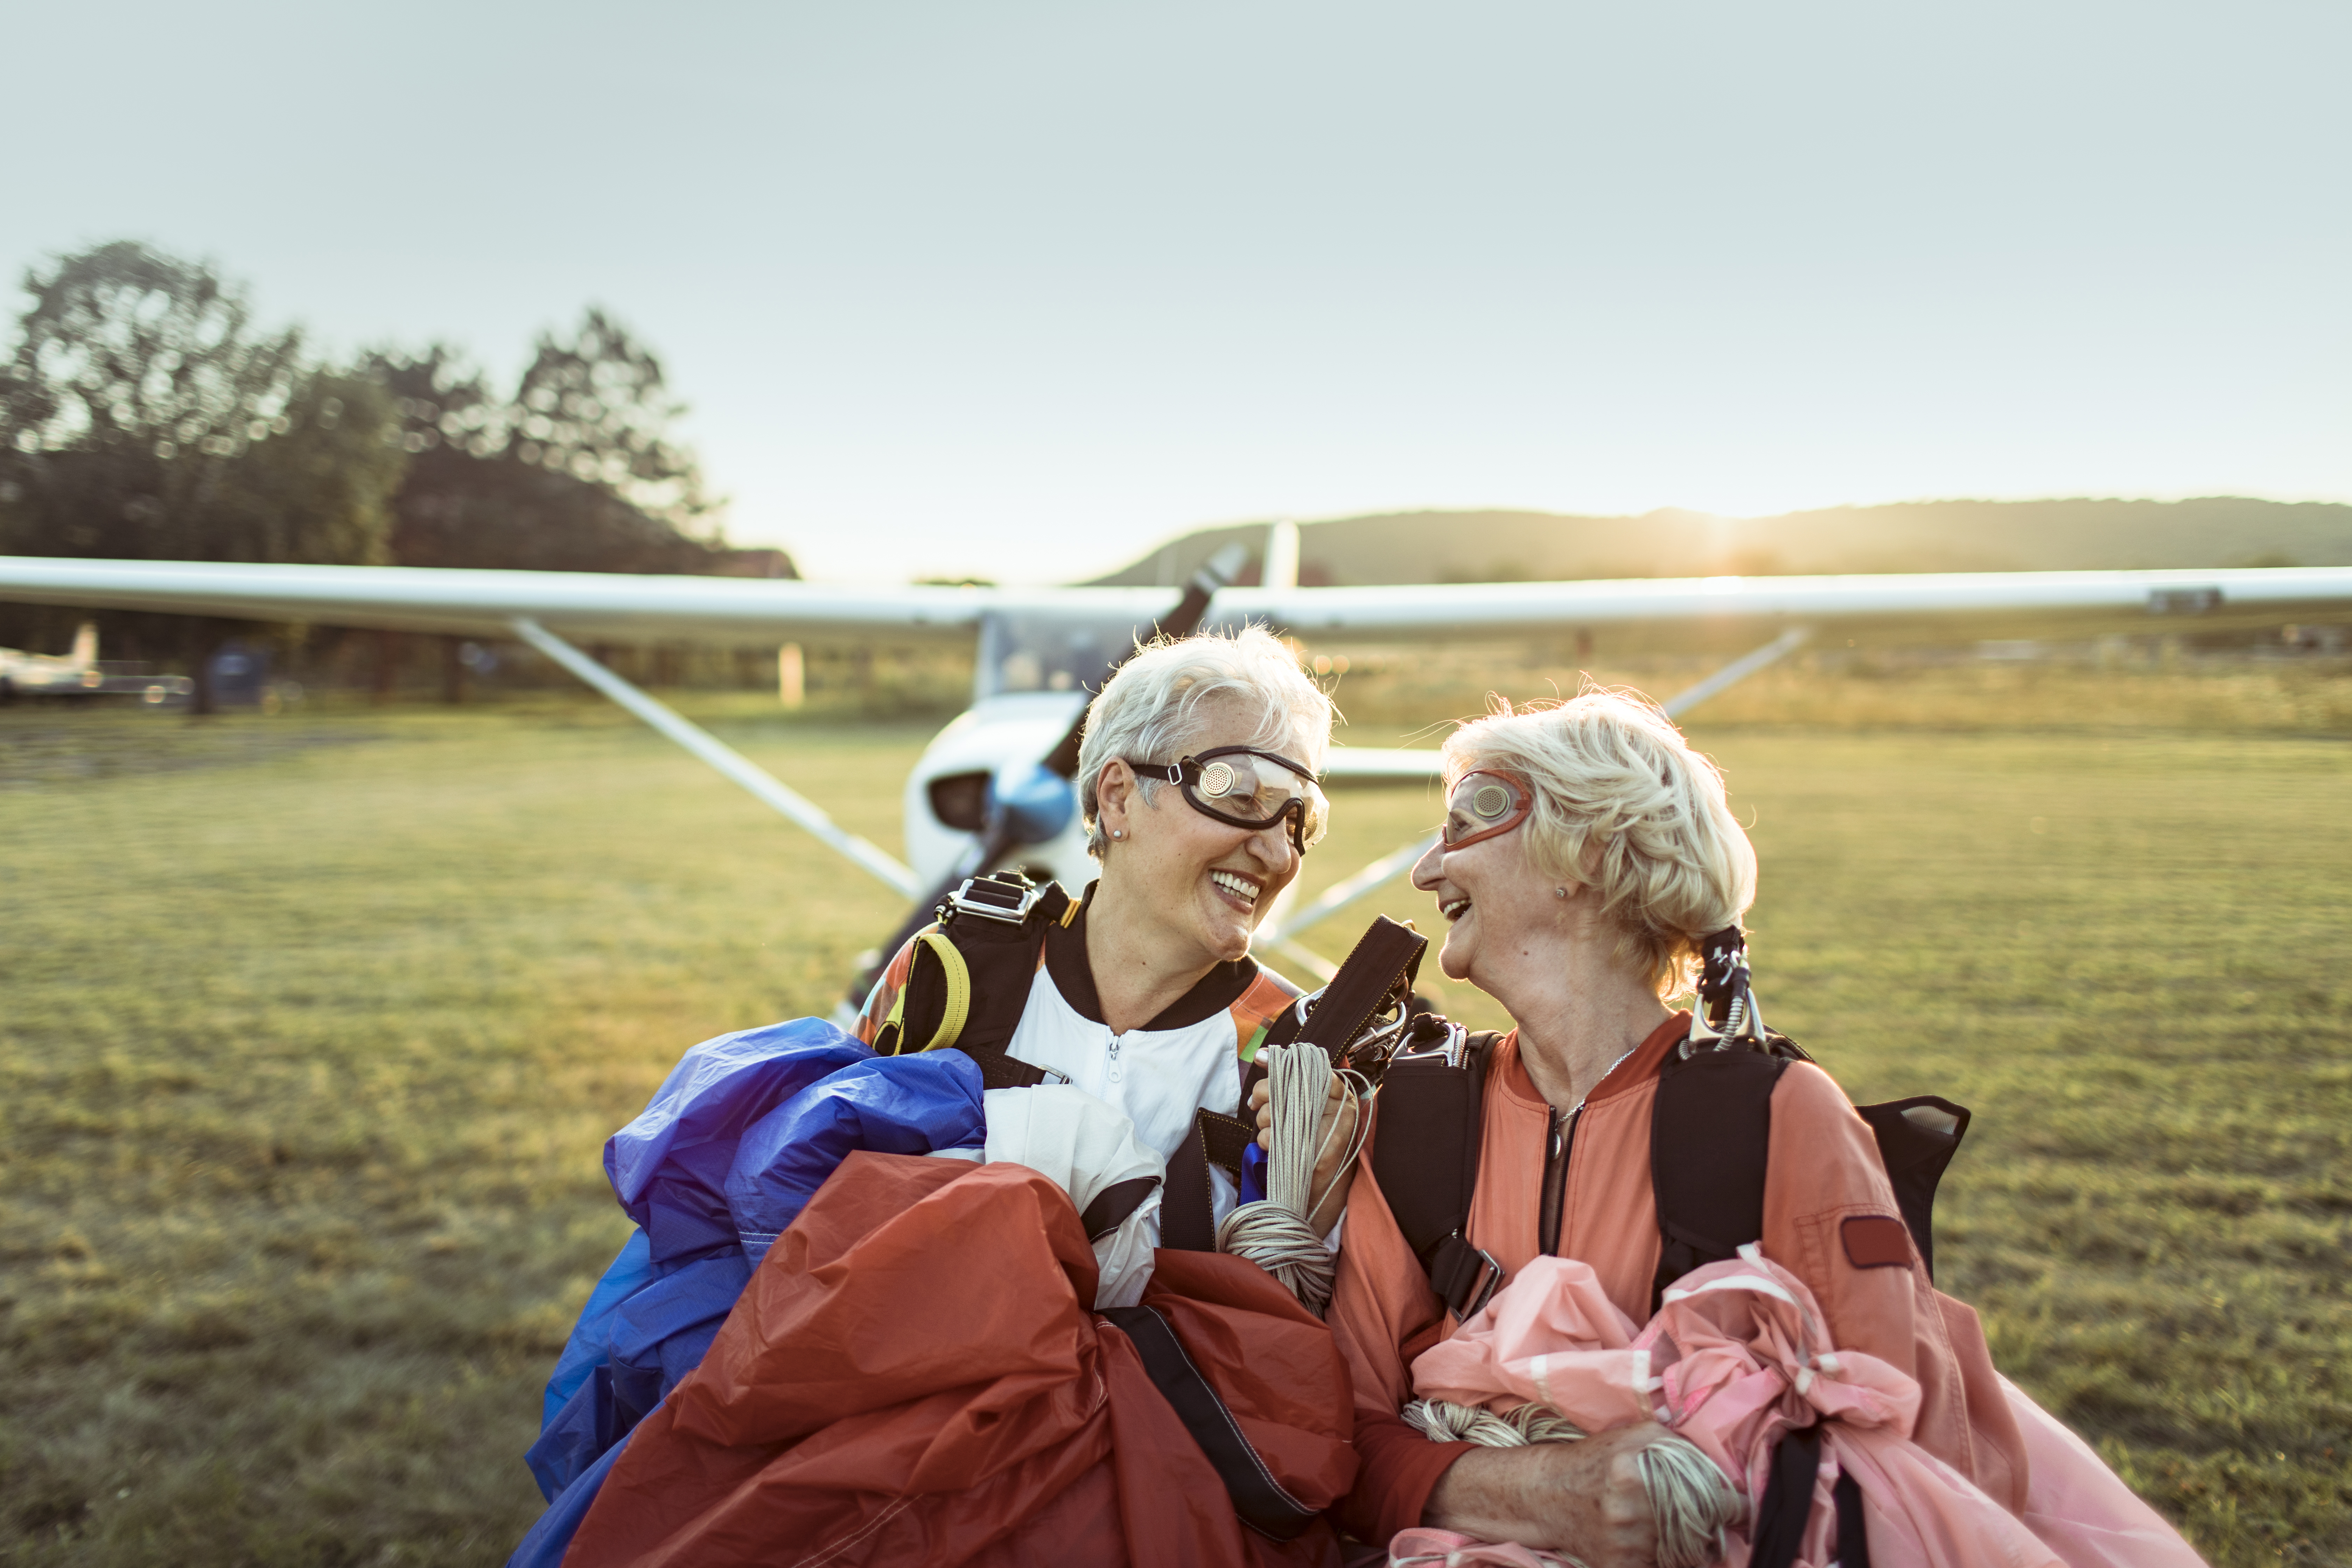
<point>1579,1499</point>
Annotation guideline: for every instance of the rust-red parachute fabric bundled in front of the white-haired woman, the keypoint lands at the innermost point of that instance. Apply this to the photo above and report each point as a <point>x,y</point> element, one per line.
<point>916,1376</point>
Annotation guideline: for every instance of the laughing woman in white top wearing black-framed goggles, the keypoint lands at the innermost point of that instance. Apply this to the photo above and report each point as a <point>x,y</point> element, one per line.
<point>1198,786</point>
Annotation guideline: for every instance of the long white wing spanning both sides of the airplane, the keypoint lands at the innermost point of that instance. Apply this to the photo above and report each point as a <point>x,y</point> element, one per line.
<point>596,605</point>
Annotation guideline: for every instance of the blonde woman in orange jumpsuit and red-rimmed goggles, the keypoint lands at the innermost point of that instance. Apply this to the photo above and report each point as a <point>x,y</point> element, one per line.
<point>1586,859</point>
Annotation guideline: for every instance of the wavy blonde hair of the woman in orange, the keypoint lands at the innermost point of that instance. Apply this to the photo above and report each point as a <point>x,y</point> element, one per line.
<point>1624,808</point>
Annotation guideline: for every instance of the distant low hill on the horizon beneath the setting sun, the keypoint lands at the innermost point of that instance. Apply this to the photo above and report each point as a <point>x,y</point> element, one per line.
<point>1904,537</point>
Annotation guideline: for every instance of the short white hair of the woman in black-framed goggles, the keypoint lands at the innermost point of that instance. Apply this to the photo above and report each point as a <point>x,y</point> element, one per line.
<point>1151,709</point>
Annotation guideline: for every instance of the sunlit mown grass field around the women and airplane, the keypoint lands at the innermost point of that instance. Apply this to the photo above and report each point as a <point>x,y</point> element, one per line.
<point>312,1031</point>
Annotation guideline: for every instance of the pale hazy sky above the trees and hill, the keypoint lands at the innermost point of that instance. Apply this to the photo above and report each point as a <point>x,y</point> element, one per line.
<point>1024,288</point>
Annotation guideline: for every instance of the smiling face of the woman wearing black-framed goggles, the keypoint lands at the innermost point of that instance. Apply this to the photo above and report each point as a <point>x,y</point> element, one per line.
<point>1208,883</point>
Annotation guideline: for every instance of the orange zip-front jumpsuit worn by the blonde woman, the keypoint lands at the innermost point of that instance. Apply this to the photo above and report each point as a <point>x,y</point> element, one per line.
<point>1824,1167</point>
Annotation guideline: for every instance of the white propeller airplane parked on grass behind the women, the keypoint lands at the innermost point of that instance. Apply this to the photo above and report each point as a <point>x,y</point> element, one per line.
<point>991,789</point>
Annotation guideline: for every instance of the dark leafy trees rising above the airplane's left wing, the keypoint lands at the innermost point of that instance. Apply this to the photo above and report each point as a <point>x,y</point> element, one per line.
<point>147,415</point>
